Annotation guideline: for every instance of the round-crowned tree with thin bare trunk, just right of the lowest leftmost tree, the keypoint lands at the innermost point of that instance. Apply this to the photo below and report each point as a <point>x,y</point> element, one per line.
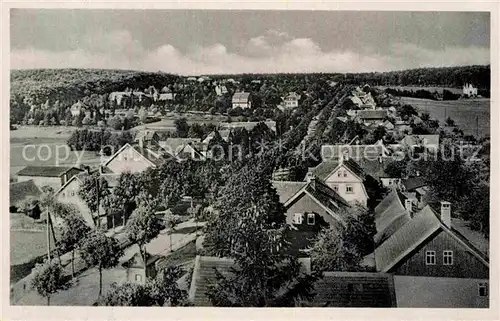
<point>99,250</point>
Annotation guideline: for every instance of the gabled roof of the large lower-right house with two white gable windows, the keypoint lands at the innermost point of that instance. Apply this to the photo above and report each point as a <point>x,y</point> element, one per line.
<point>411,235</point>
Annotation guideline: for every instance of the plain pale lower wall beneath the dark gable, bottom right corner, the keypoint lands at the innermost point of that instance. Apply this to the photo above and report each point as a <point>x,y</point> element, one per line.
<point>432,292</point>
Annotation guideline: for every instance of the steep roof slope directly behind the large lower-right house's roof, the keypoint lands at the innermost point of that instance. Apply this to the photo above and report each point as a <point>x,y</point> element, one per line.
<point>390,215</point>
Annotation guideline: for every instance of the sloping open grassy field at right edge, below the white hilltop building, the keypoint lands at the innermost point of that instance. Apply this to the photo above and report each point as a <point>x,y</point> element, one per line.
<point>463,112</point>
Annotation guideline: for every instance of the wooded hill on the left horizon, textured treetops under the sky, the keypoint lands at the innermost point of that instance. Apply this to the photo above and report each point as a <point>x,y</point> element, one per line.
<point>73,84</point>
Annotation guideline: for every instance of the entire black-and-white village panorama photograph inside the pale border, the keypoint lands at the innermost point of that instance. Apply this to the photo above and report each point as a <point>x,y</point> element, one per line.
<point>249,158</point>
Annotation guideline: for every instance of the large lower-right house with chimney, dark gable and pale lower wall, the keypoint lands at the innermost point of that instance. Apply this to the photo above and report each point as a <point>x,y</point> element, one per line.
<point>427,253</point>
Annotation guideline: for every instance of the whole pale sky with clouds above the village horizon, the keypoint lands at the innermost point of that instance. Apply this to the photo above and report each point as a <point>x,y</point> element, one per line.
<point>195,42</point>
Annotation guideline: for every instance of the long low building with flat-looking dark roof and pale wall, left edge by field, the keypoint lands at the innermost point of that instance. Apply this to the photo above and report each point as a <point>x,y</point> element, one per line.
<point>52,176</point>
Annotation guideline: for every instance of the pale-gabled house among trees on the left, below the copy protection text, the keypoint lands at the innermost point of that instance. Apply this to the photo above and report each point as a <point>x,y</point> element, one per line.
<point>133,159</point>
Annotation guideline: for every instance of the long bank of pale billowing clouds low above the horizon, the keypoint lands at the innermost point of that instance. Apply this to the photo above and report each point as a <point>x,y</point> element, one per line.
<point>272,52</point>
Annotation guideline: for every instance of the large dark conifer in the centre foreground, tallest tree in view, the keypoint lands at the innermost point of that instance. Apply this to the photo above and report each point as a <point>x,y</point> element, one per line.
<point>249,226</point>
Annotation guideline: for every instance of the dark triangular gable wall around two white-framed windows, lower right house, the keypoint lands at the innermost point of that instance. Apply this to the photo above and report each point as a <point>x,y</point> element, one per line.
<point>465,264</point>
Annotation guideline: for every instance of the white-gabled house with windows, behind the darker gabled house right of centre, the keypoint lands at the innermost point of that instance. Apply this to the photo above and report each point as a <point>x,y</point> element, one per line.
<point>345,177</point>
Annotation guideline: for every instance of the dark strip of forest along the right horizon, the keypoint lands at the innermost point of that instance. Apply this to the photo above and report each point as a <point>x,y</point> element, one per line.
<point>479,76</point>
